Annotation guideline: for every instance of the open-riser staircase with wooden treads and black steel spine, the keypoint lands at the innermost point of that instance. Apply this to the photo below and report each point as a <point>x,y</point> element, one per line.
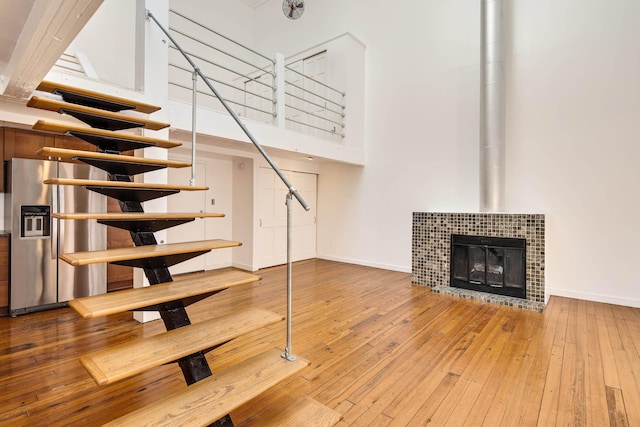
<point>207,398</point>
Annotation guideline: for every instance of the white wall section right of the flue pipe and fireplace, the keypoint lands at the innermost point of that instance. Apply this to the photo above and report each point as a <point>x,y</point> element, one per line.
<point>573,127</point>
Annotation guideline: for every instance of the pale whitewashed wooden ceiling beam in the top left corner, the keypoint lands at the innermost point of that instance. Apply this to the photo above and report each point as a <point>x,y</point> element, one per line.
<point>49,29</point>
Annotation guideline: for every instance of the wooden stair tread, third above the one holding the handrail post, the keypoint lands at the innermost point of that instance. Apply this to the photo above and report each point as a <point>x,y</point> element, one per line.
<point>141,252</point>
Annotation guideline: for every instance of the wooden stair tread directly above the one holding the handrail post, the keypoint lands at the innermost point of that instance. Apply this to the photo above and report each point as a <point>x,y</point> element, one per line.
<point>131,358</point>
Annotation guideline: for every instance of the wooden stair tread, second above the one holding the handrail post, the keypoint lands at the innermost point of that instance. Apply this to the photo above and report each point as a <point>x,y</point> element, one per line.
<point>131,299</point>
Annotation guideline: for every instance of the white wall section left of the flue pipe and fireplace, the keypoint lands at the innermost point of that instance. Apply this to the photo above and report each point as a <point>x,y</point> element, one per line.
<point>421,97</point>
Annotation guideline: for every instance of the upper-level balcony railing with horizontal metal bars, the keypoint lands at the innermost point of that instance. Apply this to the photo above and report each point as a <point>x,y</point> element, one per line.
<point>248,80</point>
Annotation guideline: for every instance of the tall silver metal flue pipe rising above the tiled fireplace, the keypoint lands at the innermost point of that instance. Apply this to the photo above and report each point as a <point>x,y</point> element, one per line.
<point>492,105</point>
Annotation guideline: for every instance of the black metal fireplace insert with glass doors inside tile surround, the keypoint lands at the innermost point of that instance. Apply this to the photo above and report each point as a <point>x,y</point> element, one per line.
<point>489,264</point>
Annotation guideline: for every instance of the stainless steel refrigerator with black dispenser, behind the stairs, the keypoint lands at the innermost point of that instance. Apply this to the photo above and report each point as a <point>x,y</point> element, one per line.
<point>38,279</point>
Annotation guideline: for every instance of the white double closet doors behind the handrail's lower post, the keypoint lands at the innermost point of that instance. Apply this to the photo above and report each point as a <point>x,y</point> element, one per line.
<point>271,241</point>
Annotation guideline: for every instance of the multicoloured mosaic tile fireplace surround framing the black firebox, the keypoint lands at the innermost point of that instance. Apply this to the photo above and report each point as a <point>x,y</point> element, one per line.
<point>431,247</point>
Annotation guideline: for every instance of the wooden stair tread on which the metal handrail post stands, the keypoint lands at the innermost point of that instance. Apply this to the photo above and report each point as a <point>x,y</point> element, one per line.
<point>210,399</point>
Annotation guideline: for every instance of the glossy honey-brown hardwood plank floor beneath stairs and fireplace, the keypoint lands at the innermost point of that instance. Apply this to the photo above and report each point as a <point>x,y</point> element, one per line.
<point>382,352</point>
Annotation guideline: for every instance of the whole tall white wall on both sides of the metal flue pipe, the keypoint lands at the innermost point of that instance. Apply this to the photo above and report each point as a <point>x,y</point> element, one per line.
<point>572,130</point>
